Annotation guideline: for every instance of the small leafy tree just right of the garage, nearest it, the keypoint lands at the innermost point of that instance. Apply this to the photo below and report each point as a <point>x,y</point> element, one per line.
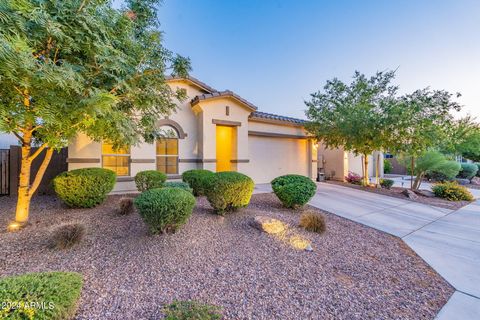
<point>353,116</point>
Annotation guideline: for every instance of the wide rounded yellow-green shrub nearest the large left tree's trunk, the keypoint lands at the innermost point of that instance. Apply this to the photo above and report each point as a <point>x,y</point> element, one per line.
<point>84,188</point>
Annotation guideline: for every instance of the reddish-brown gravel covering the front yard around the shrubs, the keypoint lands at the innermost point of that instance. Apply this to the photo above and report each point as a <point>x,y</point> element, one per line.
<point>354,272</point>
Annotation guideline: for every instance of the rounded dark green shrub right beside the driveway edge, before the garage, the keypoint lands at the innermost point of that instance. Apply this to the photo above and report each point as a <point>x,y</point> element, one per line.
<point>294,190</point>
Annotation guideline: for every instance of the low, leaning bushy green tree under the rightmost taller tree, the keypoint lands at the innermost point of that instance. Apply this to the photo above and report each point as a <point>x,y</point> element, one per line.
<point>430,161</point>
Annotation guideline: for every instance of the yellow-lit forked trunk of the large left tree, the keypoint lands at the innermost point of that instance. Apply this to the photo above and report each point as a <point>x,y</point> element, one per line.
<point>25,190</point>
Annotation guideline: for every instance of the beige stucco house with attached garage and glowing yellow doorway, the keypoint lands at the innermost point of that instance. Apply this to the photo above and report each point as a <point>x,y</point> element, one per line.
<point>214,130</point>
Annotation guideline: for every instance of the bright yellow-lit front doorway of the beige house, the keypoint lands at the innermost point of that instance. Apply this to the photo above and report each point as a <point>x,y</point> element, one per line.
<point>226,147</point>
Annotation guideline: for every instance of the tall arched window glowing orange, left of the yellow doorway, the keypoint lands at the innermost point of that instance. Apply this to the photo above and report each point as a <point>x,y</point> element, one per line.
<point>167,151</point>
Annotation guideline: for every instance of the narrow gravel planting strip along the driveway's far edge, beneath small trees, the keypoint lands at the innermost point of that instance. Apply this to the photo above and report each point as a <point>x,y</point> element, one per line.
<point>396,192</point>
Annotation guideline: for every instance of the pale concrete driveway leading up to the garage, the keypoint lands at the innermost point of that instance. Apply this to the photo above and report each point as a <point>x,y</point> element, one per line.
<point>447,240</point>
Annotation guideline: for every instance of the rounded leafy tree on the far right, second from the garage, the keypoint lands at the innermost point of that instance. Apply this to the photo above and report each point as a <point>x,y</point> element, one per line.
<point>420,121</point>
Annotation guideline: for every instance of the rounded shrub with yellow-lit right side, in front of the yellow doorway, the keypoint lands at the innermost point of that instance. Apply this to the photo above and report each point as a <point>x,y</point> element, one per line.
<point>228,191</point>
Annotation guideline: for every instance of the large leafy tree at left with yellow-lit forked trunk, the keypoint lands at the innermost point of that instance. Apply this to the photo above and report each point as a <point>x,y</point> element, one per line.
<point>79,66</point>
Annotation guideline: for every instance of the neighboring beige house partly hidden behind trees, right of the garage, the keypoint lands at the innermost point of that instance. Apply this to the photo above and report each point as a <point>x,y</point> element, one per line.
<point>336,163</point>
